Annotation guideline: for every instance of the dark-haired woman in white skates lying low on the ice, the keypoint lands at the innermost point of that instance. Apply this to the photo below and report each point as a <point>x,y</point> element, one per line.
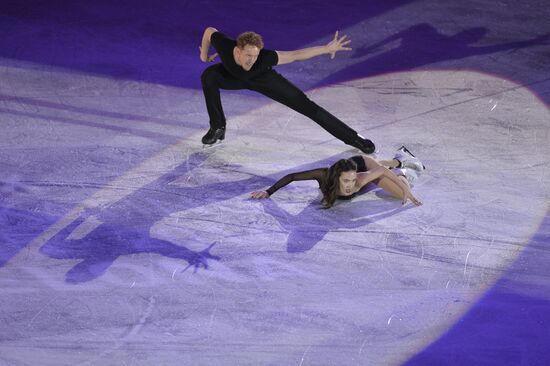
<point>346,177</point>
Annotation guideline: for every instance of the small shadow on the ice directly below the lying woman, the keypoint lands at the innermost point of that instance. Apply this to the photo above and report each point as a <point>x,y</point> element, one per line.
<point>310,226</point>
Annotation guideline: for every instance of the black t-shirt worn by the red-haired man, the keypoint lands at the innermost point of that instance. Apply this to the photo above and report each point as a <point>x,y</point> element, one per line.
<point>224,47</point>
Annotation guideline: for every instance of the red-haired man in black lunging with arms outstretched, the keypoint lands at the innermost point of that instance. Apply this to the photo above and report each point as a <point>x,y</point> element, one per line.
<point>245,64</point>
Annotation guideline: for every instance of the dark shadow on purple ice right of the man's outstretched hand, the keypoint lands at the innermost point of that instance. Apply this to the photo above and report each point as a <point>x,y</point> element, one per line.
<point>420,45</point>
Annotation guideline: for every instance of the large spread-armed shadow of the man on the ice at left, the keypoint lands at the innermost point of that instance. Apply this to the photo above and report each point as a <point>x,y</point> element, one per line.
<point>99,237</point>
